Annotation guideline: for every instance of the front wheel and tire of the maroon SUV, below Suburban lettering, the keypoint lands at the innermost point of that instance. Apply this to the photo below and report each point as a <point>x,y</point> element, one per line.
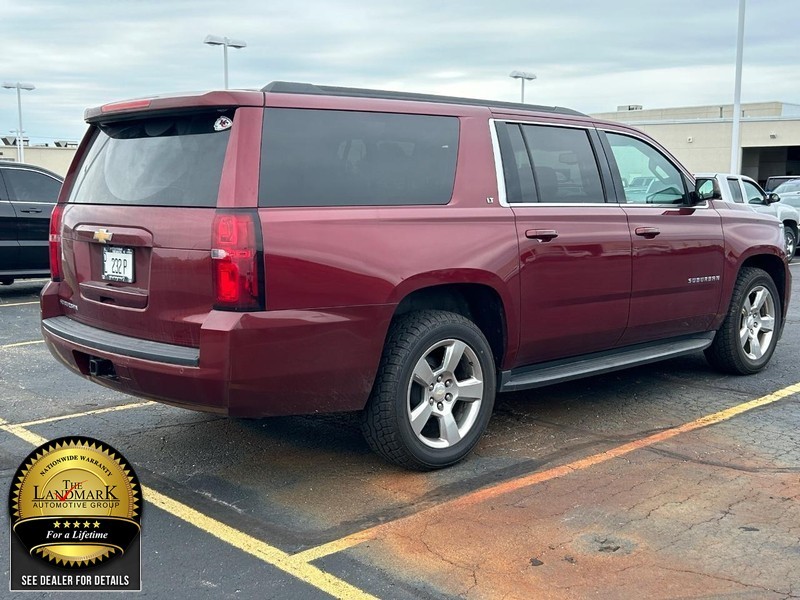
<point>746,341</point>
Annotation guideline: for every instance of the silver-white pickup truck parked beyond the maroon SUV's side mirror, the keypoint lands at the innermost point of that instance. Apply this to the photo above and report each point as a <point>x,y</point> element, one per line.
<point>744,190</point>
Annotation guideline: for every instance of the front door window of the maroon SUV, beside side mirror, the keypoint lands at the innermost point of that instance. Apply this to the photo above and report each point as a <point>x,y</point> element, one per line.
<point>648,177</point>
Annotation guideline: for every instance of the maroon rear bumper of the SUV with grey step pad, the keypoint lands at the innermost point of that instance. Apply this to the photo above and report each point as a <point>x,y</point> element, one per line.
<point>248,364</point>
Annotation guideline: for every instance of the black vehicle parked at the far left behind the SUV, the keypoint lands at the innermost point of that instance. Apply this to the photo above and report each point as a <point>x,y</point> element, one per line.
<point>27,197</point>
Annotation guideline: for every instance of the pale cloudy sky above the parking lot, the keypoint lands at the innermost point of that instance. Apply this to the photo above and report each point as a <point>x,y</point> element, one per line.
<point>587,55</point>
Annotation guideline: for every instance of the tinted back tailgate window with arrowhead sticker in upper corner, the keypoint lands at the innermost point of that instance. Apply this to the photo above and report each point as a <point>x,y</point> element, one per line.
<point>162,161</point>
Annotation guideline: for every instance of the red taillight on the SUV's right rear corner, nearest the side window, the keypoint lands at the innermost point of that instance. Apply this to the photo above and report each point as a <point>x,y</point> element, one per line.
<point>236,254</point>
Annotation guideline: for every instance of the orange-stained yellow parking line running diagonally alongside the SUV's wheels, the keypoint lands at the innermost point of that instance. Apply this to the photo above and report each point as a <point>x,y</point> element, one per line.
<point>525,481</point>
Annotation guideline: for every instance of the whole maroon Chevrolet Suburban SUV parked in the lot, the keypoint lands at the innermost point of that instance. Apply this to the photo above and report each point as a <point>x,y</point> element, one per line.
<point>309,249</point>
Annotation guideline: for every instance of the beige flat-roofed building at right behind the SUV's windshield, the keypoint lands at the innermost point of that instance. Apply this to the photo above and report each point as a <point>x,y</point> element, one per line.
<point>700,136</point>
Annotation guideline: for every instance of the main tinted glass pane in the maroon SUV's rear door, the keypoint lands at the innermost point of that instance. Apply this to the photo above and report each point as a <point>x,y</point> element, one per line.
<point>564,164</point>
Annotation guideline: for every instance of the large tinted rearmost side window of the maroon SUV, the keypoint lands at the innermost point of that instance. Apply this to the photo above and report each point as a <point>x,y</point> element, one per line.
<point>348,158</point>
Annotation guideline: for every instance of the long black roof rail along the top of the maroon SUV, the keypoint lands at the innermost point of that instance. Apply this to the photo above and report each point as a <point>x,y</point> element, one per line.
<point>288,87</point>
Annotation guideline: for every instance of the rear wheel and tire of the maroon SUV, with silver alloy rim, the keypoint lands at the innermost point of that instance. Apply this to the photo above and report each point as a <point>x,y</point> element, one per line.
<point>434,392</point>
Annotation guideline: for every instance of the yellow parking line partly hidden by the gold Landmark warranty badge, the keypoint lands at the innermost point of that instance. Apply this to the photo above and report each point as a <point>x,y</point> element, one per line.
<point>300,569</point>
